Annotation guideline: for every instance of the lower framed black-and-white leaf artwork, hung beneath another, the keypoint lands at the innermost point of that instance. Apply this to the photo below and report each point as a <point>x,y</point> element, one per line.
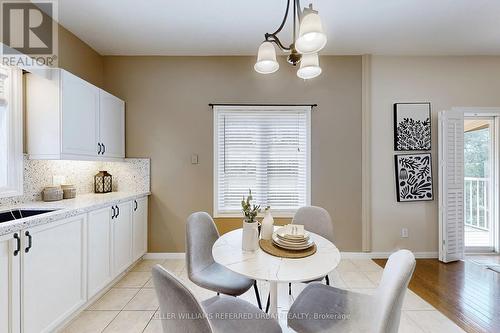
<point>413,177</point>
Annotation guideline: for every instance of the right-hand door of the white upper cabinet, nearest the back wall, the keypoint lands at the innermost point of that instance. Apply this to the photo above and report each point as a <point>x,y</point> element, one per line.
<point>111,125</point>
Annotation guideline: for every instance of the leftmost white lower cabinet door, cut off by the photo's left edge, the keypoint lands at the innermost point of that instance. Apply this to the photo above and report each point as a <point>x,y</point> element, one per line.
<point>10,291</point>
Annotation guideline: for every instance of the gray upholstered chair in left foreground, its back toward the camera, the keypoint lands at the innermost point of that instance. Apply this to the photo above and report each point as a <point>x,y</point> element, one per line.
<point>180,311</point>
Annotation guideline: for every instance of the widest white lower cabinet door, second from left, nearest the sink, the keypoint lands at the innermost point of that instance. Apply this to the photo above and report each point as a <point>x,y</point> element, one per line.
<point>54,271</point>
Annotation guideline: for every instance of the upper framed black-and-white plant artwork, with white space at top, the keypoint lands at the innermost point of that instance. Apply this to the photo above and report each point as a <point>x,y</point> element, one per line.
<point>412,126</point>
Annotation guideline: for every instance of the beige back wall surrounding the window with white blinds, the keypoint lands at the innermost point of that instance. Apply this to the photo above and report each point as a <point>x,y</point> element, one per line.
<point>168,119</point>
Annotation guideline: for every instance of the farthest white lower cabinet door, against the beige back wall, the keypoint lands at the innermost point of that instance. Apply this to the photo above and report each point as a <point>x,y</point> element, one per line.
<point>139,227</point>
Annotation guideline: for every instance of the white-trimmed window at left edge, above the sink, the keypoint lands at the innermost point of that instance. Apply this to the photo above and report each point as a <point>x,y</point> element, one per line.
<point>11,153</point>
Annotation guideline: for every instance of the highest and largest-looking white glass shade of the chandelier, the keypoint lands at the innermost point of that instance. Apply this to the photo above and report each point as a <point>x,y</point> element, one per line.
<point>312,37</point>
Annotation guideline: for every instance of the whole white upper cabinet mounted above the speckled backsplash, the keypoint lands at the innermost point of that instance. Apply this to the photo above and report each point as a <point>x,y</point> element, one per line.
<point>71,119</point>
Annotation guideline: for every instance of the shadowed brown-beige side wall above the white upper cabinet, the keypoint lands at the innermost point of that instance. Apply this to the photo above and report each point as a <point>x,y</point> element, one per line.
<point>80,59</point>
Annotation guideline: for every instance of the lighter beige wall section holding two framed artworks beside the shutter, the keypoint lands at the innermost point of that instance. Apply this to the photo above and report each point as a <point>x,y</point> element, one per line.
<point>445,82</point>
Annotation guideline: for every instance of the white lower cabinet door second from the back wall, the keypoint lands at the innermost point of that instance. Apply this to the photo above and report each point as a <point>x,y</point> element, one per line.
<point>122,237</point>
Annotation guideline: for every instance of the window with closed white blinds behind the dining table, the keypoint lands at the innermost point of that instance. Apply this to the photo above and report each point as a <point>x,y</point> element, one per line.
<point>265,149</point>
